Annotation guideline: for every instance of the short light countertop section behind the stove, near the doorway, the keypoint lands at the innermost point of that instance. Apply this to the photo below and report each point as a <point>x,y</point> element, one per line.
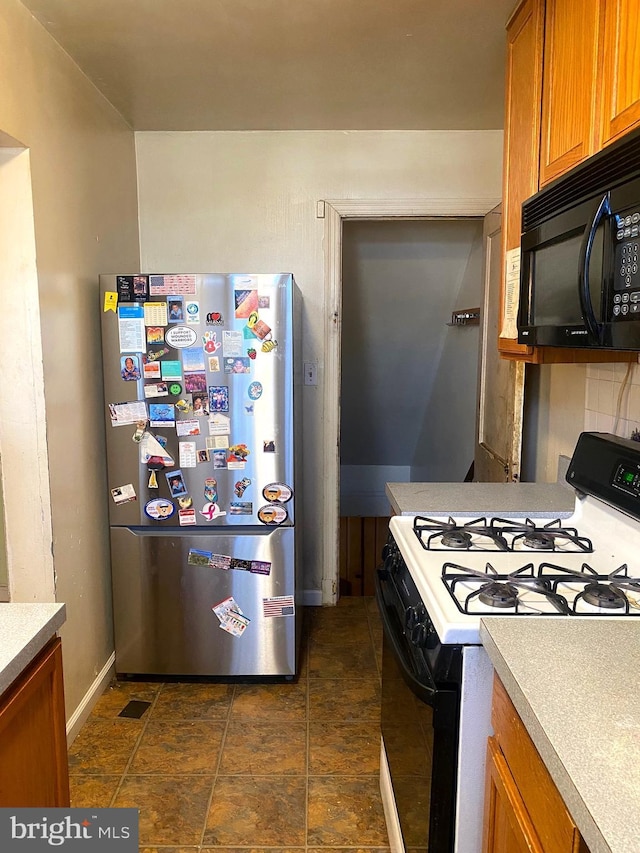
<point>535,500</point>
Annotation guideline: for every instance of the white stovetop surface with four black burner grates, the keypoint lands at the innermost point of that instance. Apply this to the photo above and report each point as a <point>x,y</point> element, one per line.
<point>584,565</point>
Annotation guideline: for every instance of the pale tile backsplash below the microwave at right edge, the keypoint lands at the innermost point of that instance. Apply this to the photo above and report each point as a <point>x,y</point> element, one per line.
<point>609,396</point>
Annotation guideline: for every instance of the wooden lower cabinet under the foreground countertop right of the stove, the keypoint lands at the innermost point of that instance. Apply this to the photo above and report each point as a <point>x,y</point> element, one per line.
<point>523,808</point>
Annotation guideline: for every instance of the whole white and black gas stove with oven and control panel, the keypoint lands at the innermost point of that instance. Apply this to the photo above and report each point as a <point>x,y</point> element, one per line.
<point>440,576</point>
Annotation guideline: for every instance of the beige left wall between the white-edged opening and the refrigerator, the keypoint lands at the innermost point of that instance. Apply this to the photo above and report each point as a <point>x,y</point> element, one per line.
<point>84,202</point>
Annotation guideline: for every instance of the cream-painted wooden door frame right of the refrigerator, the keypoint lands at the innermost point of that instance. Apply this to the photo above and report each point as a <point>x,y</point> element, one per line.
<point>335,212</point>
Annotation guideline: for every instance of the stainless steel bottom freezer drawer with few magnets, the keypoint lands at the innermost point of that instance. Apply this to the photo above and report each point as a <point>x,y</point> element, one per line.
<point>163,617</point>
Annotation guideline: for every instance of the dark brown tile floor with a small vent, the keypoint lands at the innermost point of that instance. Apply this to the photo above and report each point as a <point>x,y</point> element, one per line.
<point>240,768</point>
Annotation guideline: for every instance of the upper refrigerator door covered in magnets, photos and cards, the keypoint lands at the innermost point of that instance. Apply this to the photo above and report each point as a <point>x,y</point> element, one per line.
<point>252,427</point>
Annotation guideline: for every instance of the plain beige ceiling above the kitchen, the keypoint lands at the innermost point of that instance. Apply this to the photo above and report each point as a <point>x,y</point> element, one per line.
<point>290,64</point>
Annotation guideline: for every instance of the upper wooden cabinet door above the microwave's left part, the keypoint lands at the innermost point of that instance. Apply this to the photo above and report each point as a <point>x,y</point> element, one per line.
<point>569,86</point>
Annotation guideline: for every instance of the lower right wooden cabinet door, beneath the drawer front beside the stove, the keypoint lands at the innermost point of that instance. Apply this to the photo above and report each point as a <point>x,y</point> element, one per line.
<point>507,825</point>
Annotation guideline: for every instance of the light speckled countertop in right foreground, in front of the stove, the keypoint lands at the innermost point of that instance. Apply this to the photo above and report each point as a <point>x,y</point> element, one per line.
<point>574,683</point>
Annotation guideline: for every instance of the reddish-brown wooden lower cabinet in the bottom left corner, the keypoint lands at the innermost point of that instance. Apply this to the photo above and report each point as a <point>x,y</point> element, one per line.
<point>33,741</point>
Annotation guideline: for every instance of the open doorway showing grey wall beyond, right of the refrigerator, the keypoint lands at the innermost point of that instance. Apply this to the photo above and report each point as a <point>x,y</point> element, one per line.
<point>408,376</point>
